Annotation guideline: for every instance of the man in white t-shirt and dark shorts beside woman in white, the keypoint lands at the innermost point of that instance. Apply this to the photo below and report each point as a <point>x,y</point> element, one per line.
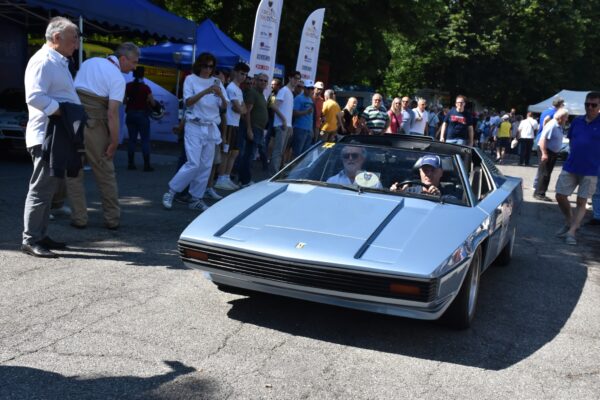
<point>236,107</point>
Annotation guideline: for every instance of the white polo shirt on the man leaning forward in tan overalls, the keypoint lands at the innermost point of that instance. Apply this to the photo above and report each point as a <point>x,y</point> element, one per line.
<point>102,77</point>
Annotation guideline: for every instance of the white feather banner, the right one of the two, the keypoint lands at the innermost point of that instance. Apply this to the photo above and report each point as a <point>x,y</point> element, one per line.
<point>308,53</point>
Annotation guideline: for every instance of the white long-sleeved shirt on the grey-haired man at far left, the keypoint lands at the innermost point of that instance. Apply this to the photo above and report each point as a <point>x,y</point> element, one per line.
<point>47,83</point>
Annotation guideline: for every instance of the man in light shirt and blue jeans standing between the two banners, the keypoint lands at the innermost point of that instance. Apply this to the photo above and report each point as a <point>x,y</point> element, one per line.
<point>282,123</point>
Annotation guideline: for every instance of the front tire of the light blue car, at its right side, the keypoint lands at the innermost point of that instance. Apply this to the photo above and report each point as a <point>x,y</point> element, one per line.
<point>461,312</point>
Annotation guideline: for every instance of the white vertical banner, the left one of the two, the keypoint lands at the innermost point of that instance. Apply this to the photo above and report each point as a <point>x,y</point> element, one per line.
<point>264,39</point>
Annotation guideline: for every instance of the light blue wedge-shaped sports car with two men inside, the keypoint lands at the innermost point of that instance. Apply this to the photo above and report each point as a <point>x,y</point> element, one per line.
<point>392,224</point>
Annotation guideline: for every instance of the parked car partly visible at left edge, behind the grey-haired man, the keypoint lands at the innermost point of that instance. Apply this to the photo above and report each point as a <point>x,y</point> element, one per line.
<point>13,119</point>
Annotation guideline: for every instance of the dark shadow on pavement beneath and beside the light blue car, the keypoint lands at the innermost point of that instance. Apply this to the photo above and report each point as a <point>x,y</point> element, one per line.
<point>520,309</point>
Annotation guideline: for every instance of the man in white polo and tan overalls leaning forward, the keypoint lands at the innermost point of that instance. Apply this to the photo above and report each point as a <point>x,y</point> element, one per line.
<point>101,87</point>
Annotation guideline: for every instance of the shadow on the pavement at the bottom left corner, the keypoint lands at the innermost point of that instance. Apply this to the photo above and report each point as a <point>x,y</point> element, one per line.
<point>31,383</point>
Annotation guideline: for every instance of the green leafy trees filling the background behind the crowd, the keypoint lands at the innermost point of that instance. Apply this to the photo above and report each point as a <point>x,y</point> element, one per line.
<point>501,52</point>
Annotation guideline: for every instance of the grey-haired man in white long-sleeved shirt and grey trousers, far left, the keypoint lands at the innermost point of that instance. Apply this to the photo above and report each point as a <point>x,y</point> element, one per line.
<point>48,82</point>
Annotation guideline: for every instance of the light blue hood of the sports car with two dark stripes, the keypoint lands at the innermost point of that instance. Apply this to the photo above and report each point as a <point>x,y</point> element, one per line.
<point>339,227</point>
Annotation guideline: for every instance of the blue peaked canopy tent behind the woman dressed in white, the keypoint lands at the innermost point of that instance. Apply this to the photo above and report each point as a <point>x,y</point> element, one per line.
<point>208,38</point>
